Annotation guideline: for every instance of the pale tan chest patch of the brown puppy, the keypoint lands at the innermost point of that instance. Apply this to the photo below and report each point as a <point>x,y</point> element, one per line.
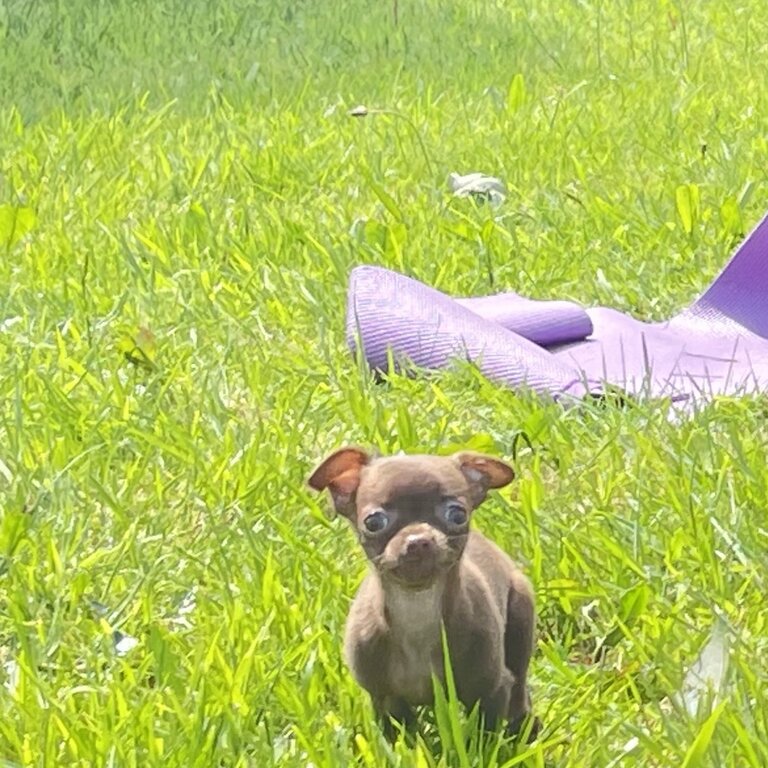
<point>415,651</point>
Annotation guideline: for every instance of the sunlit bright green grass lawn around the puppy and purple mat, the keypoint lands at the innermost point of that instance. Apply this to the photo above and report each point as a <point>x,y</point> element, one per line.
<point>178,188</point>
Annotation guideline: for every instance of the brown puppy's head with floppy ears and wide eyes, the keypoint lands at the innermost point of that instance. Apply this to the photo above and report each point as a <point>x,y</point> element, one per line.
<point>411,512</point>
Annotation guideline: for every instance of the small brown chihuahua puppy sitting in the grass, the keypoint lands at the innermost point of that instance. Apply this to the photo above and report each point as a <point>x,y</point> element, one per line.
<point>431,572</point>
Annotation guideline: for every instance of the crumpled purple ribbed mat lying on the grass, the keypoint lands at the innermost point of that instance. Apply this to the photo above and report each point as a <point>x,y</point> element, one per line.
<point>718,345</point>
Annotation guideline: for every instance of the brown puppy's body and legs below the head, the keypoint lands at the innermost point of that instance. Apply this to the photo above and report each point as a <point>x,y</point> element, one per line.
<point>393,640</point>
